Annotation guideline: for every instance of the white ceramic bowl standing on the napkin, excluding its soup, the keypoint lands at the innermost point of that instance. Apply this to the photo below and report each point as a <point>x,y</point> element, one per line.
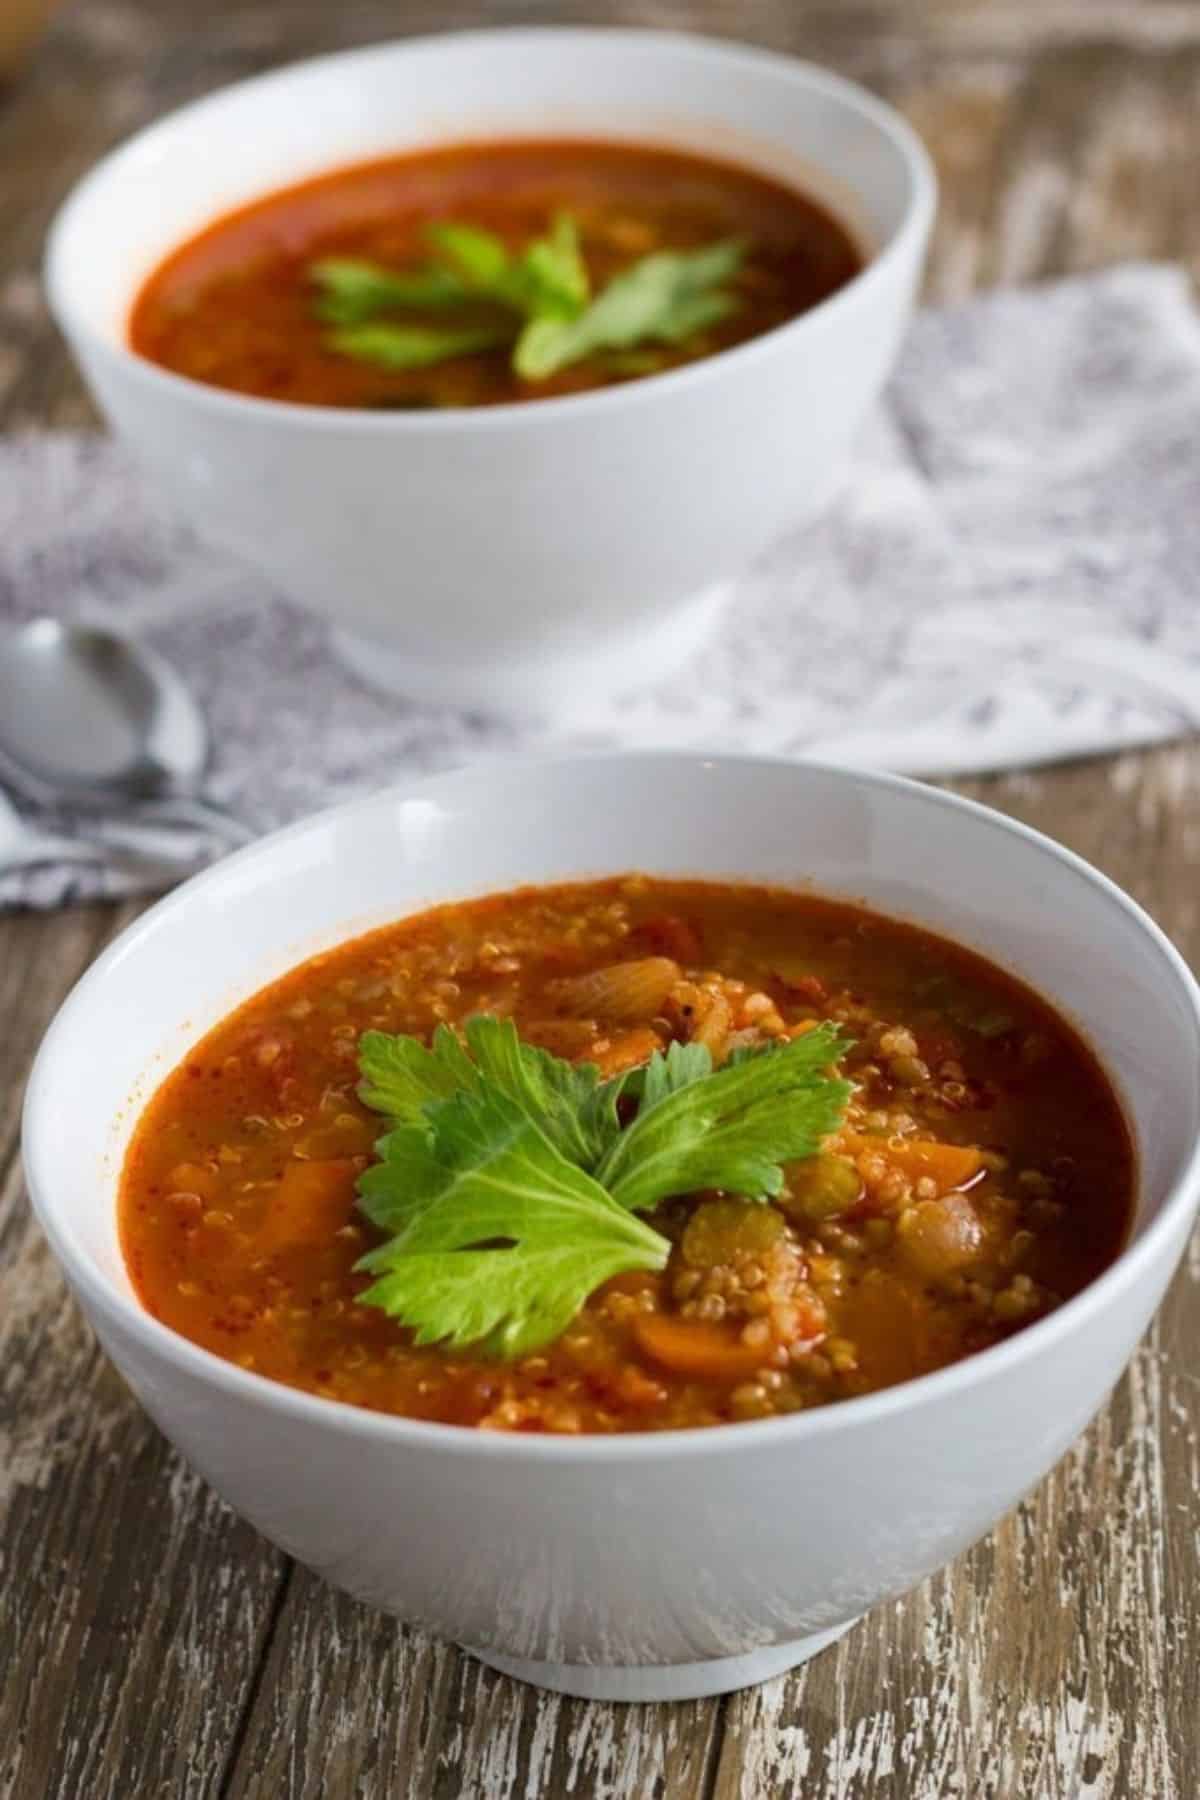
<point>510,557</point>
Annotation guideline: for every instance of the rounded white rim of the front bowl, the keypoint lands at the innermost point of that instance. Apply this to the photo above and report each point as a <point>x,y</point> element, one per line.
<point>620,1448</point>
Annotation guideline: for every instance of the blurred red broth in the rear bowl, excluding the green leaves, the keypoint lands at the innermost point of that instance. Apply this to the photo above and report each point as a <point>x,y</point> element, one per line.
<point>235,307</point>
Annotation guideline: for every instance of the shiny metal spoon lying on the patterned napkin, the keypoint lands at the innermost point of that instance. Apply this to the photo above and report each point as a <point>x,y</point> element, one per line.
<point>96,723</point>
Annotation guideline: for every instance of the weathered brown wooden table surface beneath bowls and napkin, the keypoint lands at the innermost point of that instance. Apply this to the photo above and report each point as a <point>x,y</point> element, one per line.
<point>150,1642</point>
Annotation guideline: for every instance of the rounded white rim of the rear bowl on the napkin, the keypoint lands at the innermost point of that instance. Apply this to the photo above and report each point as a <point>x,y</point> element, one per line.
<point>546,413</point>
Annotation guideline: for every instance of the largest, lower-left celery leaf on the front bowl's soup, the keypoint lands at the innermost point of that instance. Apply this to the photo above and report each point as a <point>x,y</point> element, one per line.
<point>501,1239</point>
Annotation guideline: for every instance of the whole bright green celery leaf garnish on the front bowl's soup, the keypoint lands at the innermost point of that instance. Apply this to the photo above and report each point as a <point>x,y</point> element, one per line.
<point>510,1187</point>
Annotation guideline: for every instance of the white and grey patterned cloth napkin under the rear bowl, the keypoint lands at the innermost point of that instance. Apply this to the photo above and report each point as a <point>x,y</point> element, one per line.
<point>1012,575</point>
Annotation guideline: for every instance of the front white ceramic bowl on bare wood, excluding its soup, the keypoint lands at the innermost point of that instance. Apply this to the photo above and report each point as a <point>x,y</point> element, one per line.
<point>677,1563</point>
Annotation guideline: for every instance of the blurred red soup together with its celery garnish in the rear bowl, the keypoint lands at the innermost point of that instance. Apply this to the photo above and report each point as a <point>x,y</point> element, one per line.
<point>325,294</point>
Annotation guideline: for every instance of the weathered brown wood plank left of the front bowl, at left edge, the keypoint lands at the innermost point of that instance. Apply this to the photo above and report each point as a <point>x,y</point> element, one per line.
<point>132,1603</point>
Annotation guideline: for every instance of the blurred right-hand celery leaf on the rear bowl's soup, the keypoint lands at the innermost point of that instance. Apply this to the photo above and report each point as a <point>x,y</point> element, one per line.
<point>663,298</point>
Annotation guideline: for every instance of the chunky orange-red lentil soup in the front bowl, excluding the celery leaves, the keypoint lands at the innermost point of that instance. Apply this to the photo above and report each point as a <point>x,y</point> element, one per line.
<point>978,1173</point>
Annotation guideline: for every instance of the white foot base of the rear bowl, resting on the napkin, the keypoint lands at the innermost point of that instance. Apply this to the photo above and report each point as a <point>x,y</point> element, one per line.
<point>548,687</point>
